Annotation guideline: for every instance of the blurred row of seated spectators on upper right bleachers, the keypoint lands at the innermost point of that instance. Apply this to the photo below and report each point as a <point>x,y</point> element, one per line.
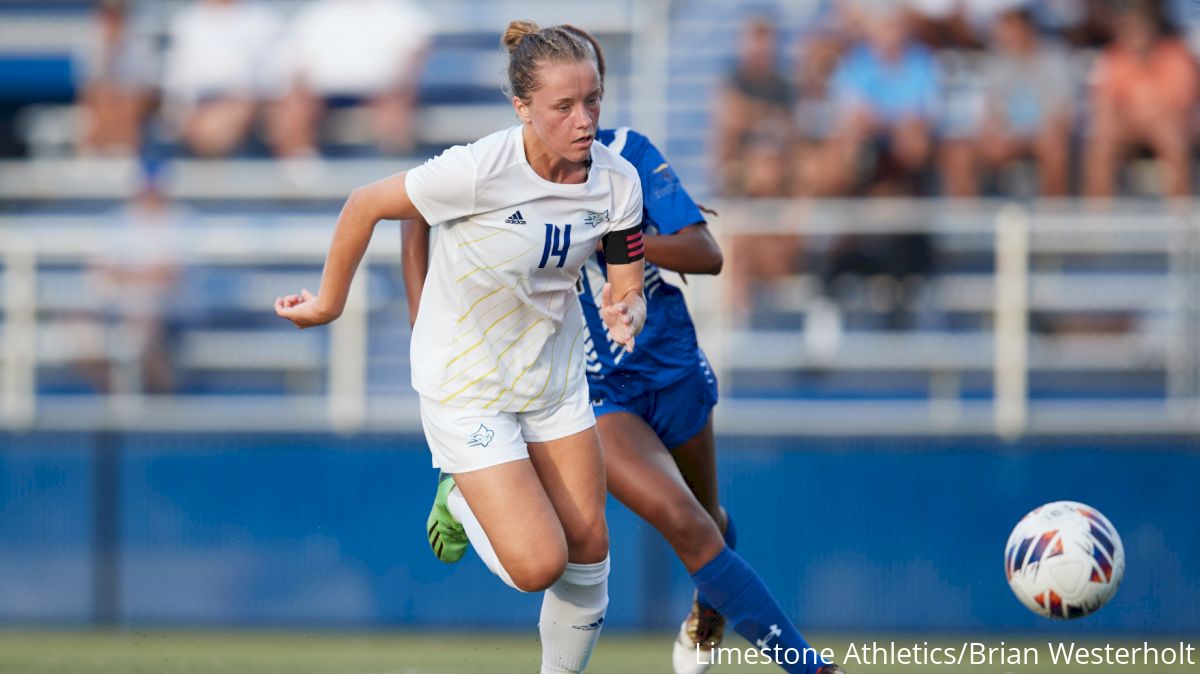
<point>959,99</point>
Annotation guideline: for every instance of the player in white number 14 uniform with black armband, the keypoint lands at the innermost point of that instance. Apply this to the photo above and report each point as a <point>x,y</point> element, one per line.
<point>499,345</point>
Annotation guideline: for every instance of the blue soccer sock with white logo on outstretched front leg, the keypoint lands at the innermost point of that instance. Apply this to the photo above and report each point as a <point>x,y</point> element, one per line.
<point>743,599</point>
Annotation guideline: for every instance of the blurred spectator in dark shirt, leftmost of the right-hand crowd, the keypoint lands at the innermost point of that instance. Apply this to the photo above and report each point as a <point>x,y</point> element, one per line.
<point>754,118</point>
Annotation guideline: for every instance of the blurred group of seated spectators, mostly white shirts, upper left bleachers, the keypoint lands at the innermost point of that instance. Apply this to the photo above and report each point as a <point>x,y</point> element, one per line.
<point>219,79</point>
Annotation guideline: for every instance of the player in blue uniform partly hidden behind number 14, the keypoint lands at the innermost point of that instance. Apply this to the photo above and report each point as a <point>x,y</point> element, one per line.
<point>655,408</point>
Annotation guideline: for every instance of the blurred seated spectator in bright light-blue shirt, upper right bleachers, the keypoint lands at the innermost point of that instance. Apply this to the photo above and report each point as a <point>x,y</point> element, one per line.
<point>887,92</point>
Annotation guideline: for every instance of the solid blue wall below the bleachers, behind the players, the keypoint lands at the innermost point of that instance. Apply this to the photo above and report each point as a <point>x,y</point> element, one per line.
<point>326,531</point>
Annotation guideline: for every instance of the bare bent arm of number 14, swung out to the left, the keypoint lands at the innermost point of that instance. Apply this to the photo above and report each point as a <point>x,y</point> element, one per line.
<point>383,200</point>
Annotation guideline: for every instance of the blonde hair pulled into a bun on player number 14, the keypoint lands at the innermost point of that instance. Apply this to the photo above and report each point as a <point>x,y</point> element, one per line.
<point>530,47</point>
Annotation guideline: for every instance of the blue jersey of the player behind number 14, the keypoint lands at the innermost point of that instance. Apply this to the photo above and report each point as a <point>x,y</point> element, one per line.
<point>667,351</point>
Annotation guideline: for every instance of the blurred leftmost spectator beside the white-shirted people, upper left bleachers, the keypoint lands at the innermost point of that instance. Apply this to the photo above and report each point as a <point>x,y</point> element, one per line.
<point>119,83</point>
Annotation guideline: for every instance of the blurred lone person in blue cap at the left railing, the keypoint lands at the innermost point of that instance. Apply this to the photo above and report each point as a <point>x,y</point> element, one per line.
<point>135,281</point>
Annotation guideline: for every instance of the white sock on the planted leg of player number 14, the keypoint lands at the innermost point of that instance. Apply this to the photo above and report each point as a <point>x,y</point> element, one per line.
<point>572,616</point>
